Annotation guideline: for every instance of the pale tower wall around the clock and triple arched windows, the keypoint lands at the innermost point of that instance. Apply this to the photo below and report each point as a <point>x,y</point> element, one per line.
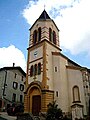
<point>35,57</point>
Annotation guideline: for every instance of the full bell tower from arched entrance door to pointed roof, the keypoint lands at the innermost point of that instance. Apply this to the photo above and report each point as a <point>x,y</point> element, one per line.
<point>44,40</point>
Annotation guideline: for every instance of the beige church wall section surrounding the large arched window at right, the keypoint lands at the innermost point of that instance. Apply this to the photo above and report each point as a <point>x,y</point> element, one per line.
<point>75,79</point>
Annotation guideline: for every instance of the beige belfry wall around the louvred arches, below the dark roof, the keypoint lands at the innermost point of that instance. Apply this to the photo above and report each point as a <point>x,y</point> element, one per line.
<point>45,25</point>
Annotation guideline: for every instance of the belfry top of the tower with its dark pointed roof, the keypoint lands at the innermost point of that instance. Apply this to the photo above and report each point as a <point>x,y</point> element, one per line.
<point>44,28</point>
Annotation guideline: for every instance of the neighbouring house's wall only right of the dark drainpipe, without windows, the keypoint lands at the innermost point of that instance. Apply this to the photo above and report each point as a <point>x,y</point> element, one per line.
<point>10,90</point>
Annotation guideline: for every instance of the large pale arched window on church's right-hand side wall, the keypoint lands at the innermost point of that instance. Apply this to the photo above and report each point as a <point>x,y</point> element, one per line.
<point>76,95</point>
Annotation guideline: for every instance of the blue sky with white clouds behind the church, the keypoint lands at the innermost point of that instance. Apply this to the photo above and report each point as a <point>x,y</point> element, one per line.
<point>71,16</point>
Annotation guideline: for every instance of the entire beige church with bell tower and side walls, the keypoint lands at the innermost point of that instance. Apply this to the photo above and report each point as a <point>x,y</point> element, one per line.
<point>51,76</point>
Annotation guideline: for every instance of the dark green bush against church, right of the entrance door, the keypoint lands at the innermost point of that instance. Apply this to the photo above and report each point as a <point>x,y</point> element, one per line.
<point>53,112</point>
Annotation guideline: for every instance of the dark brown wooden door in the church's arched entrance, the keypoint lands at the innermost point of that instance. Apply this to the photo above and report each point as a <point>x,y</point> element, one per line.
<point>36,104</point>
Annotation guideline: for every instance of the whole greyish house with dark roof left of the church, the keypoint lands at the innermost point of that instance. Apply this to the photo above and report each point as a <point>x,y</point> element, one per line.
<point>12,85</point>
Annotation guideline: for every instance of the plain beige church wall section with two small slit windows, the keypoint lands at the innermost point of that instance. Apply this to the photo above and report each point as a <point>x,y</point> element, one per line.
<point>60,82</point>
